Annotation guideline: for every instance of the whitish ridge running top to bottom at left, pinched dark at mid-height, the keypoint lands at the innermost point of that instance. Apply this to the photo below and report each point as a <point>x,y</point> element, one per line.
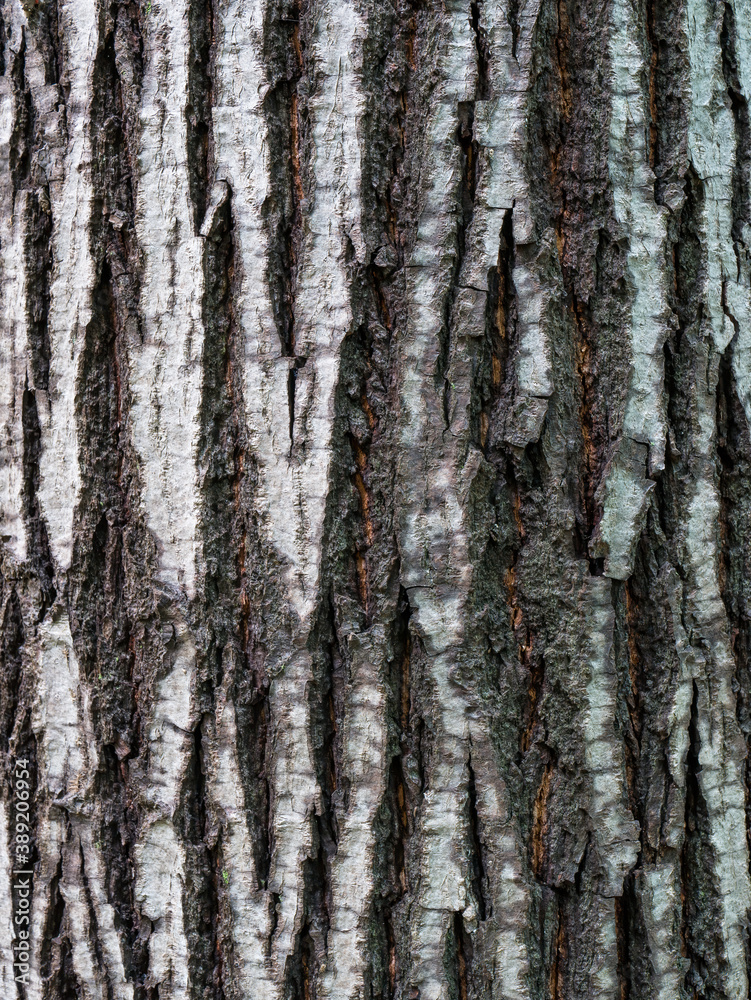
<point>164,380</point>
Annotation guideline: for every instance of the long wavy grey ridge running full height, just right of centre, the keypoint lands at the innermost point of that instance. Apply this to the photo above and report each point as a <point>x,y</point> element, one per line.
<point>436,591</point>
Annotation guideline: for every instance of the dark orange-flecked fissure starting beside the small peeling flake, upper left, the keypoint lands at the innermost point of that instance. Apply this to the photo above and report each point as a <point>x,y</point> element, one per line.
<point>231,547</point>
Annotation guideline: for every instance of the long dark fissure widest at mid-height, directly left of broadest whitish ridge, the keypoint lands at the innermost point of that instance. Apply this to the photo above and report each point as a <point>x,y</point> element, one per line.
<point>101,625</point>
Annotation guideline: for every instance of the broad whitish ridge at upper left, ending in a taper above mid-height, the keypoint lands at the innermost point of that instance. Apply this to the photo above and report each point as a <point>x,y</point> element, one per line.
<point>165,368</point>
